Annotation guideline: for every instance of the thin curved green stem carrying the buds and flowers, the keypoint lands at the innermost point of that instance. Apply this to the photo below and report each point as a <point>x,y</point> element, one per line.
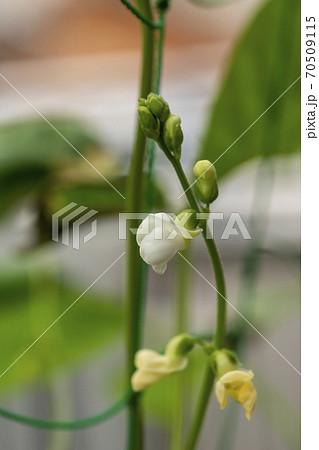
<point>208,380</point>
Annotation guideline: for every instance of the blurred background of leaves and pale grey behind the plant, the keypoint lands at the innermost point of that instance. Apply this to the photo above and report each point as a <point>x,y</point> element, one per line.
<point>76,63</point>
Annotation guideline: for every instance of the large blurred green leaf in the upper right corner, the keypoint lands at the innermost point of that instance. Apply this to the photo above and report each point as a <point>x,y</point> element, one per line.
<point>264,64</point>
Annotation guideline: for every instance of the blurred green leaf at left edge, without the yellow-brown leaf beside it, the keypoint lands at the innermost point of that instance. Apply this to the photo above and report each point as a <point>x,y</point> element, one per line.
<point>31,150</point>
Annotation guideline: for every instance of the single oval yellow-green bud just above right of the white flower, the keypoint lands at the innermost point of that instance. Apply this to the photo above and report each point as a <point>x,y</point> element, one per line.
<point>206,188</point>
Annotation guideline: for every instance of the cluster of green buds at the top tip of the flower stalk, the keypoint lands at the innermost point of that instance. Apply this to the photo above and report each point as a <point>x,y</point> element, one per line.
<point>159,124</point>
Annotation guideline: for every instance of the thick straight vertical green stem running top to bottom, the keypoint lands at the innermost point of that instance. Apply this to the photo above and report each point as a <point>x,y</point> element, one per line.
<point>135,205</point>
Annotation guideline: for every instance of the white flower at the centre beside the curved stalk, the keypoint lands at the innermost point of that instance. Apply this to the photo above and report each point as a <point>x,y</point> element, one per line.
<point>160,239</point>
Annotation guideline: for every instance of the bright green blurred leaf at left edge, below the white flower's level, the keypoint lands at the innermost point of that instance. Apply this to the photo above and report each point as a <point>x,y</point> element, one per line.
<point>32,298</point>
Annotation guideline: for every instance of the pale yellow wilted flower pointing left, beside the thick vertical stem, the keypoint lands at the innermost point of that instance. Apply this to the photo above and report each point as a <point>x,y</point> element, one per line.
<point>152,367</point>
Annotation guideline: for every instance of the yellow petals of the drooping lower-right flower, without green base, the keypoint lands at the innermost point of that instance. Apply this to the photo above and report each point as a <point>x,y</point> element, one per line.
<point>238,385</point>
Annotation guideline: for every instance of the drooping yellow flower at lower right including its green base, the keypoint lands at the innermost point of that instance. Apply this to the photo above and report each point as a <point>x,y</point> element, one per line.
<point>233,382</point>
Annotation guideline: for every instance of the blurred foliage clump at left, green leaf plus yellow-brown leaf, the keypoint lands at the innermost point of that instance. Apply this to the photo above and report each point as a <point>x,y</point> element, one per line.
<point>36,161</point>
